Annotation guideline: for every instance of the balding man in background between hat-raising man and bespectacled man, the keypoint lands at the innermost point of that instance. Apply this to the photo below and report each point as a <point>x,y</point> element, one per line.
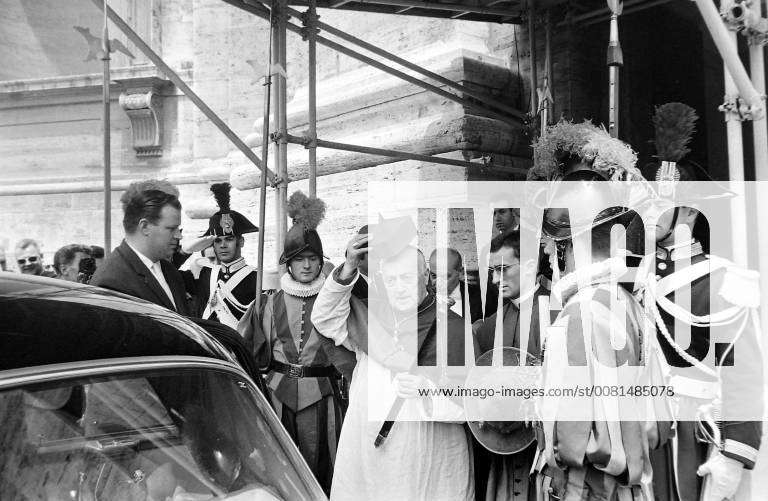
<point>456,288</point>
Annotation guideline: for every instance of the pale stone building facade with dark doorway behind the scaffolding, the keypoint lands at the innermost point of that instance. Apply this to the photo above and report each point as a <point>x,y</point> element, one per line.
<point>50,106</point>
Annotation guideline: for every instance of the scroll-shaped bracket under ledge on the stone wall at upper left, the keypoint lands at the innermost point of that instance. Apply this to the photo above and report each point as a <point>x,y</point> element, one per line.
<point>144,110</point>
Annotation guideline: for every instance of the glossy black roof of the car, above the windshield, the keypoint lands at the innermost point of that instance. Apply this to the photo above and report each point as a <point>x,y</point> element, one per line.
<point>47,321</point>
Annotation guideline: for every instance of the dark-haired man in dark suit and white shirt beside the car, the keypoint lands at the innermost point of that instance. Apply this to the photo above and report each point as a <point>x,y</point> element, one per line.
<point>140,265</point>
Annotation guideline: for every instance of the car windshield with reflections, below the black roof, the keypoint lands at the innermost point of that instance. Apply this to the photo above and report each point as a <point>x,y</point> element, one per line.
<point>181,434</point>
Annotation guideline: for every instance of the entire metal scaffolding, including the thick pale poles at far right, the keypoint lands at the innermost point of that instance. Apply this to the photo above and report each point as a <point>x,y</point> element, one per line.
<point>279,14</point>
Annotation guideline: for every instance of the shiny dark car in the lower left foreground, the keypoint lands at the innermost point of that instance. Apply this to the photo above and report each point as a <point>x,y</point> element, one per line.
<point>104,397</point>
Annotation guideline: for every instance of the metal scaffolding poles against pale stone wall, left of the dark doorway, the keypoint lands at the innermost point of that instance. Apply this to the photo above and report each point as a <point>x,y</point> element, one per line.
<point>278,14</point>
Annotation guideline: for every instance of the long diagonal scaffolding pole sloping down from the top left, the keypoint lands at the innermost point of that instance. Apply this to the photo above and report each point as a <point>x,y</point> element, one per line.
<point>182,86</point>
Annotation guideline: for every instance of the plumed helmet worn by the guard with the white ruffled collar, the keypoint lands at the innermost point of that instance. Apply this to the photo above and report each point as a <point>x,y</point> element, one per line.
<point>306,214</point>
